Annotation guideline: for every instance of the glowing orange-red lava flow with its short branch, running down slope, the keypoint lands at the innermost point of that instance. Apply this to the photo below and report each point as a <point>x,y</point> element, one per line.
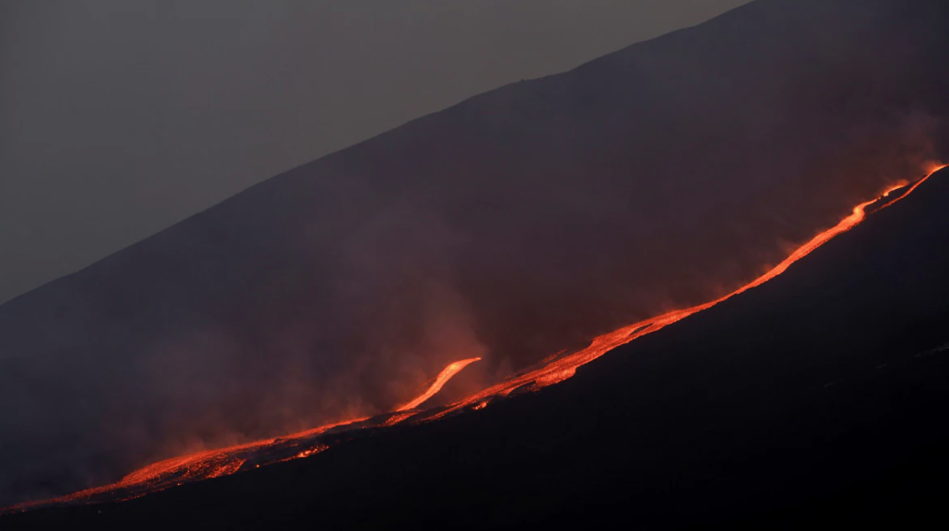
<point>226,461</point>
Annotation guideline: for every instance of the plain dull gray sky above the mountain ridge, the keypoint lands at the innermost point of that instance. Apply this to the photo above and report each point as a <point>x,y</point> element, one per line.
<point>119,118</point>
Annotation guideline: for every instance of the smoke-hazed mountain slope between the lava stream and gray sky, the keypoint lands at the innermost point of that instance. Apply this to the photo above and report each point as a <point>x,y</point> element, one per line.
<point>516,224</point>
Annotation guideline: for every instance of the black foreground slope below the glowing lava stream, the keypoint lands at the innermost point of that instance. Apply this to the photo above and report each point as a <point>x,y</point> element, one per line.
<point>814,399</point>
